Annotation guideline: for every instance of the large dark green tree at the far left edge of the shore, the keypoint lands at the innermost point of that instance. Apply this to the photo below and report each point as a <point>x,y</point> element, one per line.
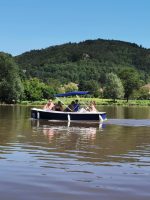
<point>11,87</point>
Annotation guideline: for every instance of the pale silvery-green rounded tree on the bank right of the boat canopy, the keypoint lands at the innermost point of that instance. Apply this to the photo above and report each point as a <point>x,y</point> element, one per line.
<point>114,88</point>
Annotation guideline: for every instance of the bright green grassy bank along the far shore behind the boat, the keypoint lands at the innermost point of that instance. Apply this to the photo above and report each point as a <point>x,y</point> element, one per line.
<point>86,101</point>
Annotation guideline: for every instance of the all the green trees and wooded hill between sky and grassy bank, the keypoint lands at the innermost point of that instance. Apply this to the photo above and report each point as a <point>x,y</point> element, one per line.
<point>106,68</point>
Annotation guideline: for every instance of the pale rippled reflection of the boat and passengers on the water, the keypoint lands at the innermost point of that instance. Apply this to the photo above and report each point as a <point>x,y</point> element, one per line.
<point>56,129</point>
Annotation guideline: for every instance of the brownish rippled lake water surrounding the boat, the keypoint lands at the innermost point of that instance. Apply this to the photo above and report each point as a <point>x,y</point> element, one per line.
<point>40,160</point>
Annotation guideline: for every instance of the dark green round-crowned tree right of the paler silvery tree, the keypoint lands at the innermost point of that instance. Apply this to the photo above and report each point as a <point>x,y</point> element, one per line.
<point>131,81</point>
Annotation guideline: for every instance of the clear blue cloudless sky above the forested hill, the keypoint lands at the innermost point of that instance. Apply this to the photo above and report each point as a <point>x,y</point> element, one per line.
<point>34,24</point>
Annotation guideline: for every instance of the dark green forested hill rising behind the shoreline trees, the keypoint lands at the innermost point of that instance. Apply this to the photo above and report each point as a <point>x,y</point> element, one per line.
<point>84,61</point>
